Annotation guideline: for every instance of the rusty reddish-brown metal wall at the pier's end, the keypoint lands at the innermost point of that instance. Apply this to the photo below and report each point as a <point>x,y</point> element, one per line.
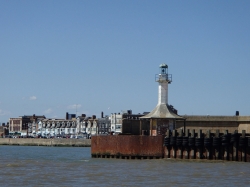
<point>128,145</point>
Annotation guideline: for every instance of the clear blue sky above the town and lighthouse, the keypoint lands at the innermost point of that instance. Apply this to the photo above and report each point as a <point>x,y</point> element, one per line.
<point>85,57</point>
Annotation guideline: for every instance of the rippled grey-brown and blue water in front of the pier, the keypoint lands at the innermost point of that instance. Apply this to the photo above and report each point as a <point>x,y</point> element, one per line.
<point>60,166</point>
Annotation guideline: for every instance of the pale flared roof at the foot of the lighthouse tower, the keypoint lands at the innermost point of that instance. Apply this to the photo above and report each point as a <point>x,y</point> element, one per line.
<point>162,111</point>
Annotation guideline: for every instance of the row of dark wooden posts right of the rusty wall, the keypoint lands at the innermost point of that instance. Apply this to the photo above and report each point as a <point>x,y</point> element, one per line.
<point>206,145</point>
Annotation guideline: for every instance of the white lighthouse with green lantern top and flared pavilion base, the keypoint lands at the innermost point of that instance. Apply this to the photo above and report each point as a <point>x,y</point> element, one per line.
<point>163,117</point>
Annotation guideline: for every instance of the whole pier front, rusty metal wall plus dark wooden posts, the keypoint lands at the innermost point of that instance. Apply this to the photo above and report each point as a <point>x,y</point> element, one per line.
<point>175,144</point>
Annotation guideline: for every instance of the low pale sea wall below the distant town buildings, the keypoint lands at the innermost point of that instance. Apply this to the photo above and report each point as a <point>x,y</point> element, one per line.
<point>61,142</point>
